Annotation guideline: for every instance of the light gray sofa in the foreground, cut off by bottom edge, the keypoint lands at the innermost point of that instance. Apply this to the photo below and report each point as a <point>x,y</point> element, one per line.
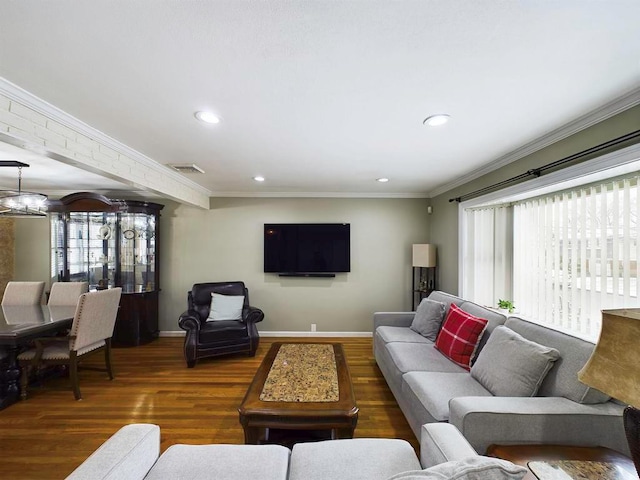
<point>133,453</point>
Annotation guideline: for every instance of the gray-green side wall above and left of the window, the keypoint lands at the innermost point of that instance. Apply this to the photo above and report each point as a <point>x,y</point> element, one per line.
<point>444,220</point>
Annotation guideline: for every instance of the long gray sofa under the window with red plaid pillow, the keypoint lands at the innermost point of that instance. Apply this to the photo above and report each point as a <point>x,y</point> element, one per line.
<point>431,388</point>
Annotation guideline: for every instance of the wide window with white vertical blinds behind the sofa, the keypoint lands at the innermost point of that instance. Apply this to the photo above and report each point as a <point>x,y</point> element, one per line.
<point>562,256</point>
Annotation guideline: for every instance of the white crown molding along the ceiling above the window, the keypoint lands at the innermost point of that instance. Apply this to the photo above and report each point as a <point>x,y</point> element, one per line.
<point>619,105</point>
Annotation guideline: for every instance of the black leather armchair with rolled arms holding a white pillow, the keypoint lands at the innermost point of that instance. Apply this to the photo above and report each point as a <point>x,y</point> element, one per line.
<point>211,338</point>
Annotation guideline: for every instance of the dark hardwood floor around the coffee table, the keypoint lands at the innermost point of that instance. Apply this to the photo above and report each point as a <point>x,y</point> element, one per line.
<point>50,434</point>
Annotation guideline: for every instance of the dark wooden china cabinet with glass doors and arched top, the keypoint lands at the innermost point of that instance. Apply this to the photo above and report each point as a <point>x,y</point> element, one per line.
<point>111,243</point>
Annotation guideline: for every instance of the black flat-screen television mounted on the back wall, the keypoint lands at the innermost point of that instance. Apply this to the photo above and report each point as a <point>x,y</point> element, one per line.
<point>307,249</point>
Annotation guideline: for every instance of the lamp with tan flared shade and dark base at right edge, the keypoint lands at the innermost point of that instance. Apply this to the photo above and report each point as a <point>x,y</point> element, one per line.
<point>614,369</point>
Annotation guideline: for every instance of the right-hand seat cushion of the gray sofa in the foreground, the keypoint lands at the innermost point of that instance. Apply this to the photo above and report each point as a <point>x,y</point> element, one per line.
<point>351,459</point>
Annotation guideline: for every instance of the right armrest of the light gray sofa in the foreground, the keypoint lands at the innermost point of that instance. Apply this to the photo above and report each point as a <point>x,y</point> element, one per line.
<point>442,442</point>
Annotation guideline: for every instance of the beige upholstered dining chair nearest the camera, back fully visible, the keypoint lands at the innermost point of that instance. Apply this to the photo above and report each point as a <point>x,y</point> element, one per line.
<point>90,332</point>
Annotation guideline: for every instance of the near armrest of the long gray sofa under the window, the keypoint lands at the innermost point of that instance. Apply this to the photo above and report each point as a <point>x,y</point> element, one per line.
<point>537,420</point>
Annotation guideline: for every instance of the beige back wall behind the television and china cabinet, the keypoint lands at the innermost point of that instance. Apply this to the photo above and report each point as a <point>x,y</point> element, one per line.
<point>225,243</point>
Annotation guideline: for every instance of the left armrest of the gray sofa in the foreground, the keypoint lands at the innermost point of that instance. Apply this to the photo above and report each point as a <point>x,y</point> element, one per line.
<point>128,454</point>
